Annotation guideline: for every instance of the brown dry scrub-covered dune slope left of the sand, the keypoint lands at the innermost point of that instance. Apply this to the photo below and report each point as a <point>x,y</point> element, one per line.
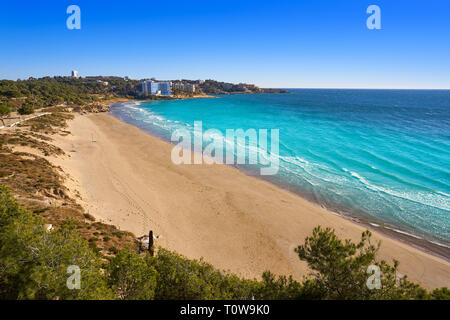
<point>39,186</point>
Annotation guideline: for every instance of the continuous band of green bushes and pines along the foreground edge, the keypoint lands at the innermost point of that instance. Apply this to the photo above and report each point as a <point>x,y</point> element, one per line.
<point>34,263</point>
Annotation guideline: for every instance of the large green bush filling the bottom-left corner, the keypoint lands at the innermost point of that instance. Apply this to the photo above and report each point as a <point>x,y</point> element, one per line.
<point>34,262</point>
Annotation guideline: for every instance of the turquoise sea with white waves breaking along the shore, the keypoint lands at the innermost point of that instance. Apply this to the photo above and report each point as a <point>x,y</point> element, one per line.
<point>381,155</point>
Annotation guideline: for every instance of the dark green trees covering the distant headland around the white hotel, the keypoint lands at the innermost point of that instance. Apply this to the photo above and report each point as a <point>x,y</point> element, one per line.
<point>25,96</point>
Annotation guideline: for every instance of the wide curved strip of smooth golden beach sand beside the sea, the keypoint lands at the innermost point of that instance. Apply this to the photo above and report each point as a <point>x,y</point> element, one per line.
<point>235,222</point>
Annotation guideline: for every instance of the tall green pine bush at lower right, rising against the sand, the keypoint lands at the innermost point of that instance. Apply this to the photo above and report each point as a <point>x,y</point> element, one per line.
<point>340,268</point>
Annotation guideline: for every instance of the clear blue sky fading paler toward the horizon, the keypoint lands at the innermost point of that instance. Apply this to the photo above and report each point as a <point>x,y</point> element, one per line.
<point>304,44</point>
